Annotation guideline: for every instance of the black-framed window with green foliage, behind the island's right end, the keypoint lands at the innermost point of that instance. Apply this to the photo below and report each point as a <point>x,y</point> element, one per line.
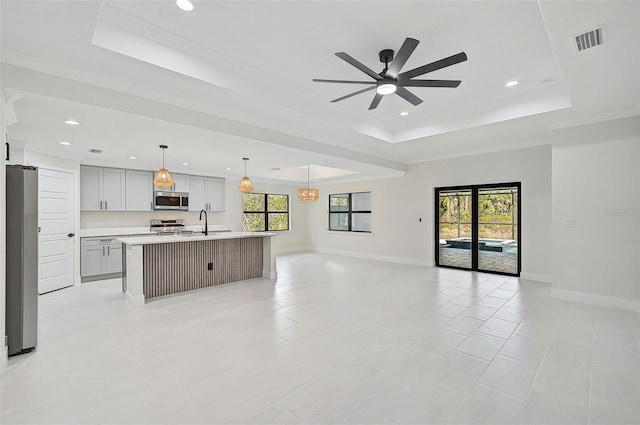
<point>265,212</point>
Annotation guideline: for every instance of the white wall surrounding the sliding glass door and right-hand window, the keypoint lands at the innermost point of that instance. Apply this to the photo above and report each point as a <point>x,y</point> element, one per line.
<point>398,203</point>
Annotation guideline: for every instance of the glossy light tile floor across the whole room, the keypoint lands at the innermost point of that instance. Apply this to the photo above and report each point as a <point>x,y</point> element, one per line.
<point>334,340</point>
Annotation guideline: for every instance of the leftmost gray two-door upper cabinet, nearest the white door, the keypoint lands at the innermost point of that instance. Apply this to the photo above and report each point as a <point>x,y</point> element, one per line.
<point>102,189</point>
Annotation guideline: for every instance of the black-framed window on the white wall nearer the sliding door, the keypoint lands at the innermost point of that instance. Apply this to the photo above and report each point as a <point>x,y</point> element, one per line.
<point>350,212</point>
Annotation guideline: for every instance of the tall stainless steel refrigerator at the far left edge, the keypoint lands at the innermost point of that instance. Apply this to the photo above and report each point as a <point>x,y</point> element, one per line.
<point>22,258</point>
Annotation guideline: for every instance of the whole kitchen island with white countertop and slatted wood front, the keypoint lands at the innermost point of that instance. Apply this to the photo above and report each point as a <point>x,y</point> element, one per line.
<point>156,266</point>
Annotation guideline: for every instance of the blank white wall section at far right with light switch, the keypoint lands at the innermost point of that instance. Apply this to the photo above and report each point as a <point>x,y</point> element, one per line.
<point>596,182</point>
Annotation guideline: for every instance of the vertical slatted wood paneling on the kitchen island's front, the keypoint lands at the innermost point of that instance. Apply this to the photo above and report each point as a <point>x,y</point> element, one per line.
<point>170,268</point>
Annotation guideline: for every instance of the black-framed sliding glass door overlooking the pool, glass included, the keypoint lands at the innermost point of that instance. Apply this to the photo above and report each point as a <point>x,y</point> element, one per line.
<point>478,228</point>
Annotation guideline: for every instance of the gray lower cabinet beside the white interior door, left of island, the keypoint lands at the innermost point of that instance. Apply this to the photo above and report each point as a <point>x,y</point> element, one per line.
<point>100,258</point>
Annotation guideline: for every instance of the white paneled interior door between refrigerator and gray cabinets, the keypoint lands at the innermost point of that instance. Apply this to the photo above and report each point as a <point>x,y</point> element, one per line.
<point>57,224</point>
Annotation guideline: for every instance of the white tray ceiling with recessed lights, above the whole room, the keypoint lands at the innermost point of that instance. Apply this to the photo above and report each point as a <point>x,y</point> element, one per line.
<point>233,79</point>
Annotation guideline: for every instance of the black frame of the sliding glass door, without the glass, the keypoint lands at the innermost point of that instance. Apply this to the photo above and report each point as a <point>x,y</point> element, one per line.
<point>475,189</point>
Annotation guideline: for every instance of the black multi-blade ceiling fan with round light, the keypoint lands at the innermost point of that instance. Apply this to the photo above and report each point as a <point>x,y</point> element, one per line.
<point>390,80</point>
